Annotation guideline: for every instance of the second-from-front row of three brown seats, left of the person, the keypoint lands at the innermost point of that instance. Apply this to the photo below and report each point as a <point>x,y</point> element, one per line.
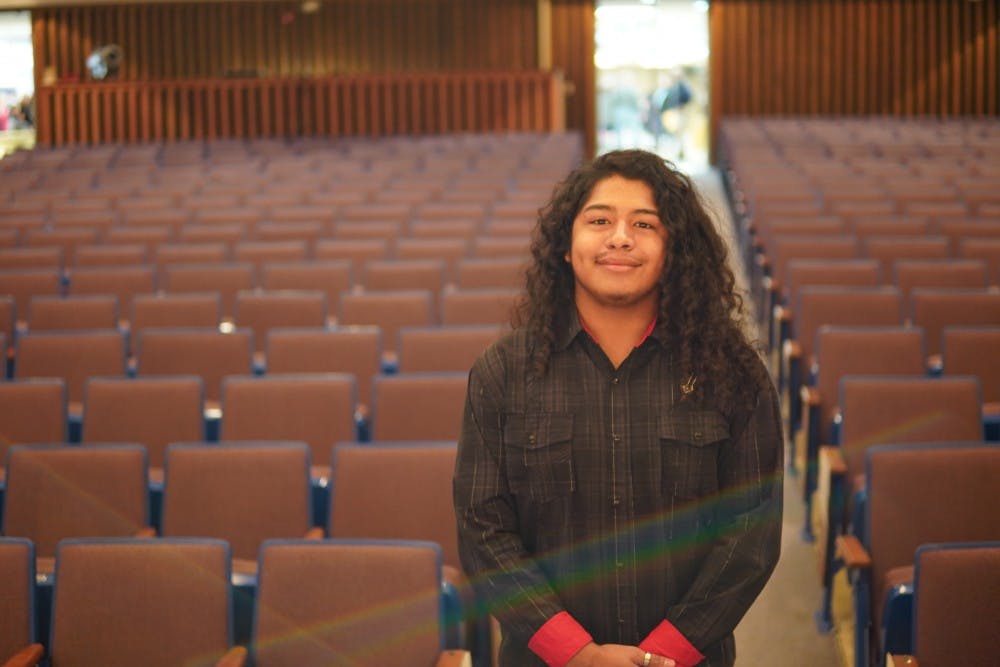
<point>244,493</point>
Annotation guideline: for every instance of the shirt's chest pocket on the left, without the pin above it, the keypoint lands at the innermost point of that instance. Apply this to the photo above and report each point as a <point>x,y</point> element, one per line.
<point>539,450</point>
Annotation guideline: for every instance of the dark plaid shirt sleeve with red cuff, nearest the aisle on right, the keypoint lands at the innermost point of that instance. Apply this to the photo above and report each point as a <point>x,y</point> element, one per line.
<point>742,558</point>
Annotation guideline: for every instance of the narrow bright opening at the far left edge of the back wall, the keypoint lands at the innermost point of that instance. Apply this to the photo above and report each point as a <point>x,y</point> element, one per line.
<point>17,82</point>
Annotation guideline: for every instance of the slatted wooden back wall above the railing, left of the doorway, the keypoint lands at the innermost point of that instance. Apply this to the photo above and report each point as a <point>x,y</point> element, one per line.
<point>275,39</point>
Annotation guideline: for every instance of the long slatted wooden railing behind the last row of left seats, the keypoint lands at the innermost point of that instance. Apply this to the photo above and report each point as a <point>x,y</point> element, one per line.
<point>362,105</point>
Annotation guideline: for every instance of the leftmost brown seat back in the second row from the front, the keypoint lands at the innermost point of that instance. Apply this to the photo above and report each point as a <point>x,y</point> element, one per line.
<point>59,492</point>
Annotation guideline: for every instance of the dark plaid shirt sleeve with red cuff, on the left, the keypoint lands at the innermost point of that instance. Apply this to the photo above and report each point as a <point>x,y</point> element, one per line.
<point>508,583</point>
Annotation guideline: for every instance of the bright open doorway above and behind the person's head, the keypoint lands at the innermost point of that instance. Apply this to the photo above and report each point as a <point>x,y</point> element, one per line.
<point>652,78</point>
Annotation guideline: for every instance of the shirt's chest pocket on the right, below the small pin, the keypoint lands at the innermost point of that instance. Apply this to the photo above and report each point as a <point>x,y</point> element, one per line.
<point>689,452</point>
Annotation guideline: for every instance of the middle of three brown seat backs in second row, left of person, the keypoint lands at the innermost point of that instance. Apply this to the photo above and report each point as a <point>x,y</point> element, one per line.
<point>243,493</point>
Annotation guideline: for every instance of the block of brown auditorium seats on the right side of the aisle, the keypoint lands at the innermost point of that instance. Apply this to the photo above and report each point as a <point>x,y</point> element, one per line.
<point>872,249</point>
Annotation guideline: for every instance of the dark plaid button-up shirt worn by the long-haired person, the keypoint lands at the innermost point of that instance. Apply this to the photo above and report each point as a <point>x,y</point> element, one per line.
<point>606,493</point>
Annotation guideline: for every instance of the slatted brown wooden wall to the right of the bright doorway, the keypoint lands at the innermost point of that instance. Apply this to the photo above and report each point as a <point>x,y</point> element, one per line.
<point>854,57</point>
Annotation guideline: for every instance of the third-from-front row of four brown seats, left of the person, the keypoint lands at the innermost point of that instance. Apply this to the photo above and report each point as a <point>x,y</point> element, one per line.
<point>316,408</point>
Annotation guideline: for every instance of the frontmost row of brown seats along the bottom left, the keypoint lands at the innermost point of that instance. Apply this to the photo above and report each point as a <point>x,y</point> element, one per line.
<point>166,602</point>
